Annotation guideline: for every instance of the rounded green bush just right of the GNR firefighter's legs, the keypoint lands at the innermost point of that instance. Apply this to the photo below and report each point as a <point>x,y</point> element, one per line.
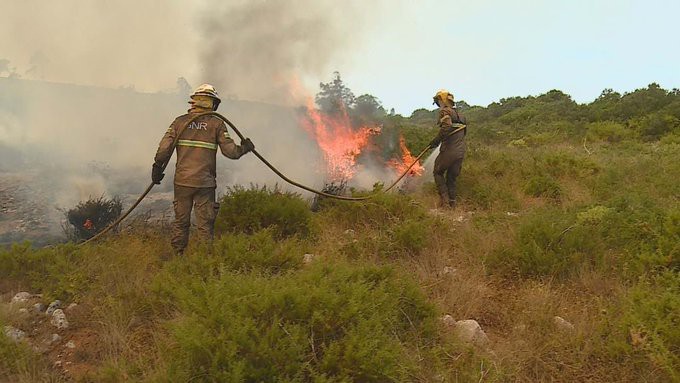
<point>251,210</point>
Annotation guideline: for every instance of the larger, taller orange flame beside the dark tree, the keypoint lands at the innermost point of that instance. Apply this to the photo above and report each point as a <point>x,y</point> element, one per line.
<point>340,143</point>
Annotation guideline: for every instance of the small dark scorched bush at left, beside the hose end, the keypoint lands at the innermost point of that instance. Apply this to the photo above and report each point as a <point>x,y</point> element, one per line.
<point>92,216</point>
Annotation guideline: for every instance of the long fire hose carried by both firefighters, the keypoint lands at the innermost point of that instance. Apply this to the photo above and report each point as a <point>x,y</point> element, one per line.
<point>267,163</point>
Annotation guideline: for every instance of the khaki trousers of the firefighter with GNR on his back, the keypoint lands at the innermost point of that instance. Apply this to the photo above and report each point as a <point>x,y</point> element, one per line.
<point>186,198</point>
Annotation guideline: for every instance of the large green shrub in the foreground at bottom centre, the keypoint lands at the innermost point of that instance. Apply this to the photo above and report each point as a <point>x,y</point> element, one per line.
<point>326,322</point>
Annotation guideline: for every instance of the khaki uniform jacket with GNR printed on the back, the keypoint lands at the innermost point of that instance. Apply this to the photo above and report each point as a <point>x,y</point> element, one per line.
<point>197,149</point>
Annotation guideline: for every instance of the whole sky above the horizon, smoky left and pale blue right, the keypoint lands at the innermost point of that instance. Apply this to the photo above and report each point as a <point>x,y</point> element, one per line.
<point>399,51</point>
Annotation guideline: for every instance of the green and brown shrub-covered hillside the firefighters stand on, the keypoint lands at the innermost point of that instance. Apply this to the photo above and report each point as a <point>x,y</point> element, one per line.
<point>565,248</point>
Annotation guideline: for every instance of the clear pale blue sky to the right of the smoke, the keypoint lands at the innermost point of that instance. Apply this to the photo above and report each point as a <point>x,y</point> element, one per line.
<point>485,50</point>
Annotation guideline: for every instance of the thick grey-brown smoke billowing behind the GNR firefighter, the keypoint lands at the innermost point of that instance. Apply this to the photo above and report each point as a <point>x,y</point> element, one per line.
<point>73,119</point>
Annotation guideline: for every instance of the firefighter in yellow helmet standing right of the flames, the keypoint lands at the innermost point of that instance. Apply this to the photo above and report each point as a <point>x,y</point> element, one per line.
<point>451,136</point>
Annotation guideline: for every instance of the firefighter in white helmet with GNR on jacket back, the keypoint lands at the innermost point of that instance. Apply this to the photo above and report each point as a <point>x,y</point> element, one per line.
<point>195,171</point>
